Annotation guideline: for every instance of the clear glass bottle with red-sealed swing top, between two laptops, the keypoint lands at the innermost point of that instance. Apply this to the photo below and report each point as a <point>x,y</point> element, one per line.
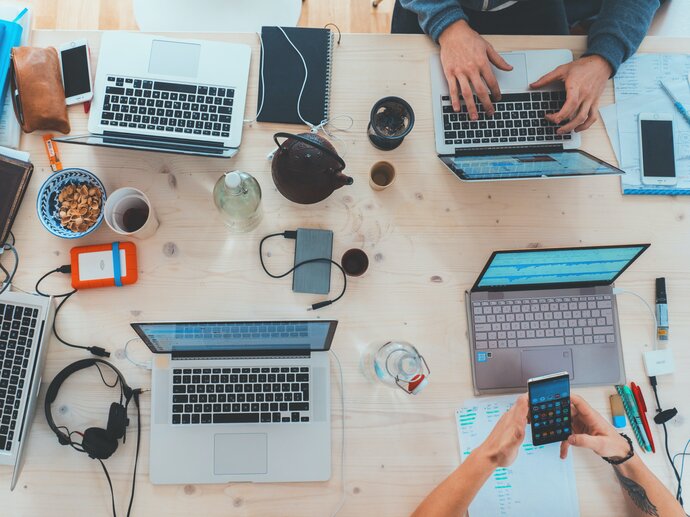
<point>396,363</point>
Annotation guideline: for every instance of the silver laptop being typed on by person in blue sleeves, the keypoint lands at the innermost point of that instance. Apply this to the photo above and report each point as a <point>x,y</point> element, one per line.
<point>516,142</point>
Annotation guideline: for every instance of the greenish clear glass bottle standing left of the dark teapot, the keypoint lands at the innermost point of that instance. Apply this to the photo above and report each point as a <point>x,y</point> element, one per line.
<point>237,195</point>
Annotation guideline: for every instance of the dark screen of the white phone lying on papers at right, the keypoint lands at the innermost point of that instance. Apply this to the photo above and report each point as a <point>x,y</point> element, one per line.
<point>658,160</point>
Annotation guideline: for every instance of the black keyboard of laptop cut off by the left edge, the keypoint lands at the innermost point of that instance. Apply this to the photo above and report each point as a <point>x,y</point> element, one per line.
<point>17,326</point>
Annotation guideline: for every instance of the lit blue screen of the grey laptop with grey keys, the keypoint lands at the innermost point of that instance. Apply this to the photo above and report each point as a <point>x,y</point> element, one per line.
<point>563,266</point>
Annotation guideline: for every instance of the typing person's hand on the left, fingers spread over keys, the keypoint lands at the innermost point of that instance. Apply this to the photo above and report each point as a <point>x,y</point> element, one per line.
<point>466,58</point>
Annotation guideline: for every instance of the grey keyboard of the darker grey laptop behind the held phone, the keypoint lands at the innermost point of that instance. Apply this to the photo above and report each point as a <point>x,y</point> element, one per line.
<point>579,320</point>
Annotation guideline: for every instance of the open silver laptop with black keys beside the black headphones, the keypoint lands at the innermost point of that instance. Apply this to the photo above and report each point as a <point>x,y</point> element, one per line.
<point>240,401</point>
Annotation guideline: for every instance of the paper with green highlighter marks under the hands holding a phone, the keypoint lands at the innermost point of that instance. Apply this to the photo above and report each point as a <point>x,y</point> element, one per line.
<point>538,484</point>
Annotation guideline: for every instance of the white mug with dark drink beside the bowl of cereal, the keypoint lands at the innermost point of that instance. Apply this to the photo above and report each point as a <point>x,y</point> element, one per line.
<point>122,208</point>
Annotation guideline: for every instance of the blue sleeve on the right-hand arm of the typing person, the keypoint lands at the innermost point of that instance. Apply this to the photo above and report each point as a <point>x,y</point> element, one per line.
<point>619,29</point>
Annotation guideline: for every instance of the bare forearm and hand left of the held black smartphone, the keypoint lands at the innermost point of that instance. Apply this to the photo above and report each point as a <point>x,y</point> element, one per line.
<point>454,495</point>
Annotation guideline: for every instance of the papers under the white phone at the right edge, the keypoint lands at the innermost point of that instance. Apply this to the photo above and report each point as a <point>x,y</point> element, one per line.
<point>638,91</point>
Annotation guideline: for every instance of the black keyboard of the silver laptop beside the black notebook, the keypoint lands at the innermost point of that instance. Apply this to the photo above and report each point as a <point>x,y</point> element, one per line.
<point>170,107</point>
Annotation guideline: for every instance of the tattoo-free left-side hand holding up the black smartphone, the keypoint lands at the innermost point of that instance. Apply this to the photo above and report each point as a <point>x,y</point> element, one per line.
<point>503,444</point>
